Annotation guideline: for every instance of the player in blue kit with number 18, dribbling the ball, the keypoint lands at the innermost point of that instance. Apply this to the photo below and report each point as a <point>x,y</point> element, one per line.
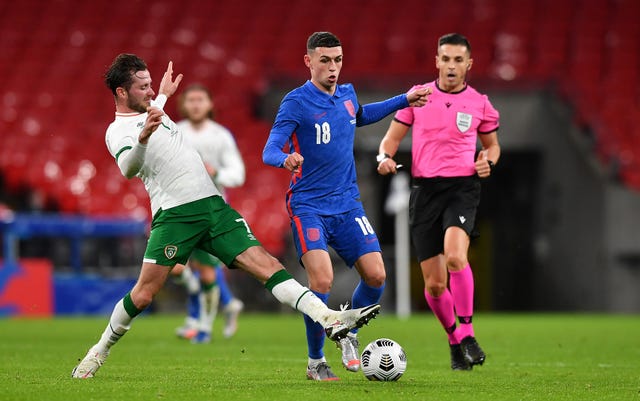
<point>318,120</point>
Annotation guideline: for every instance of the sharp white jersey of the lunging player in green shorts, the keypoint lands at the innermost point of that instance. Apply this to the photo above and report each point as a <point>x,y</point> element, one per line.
<point>172,171</point>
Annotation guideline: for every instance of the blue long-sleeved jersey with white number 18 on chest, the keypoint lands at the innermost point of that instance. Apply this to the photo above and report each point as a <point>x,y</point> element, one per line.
<point>321,127</point>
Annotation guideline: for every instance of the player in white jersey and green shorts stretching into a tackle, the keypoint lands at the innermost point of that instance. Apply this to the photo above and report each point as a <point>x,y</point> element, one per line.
<point>188,212</point>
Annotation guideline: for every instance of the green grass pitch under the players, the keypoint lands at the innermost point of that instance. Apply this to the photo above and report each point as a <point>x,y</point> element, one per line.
<point>529,357</point>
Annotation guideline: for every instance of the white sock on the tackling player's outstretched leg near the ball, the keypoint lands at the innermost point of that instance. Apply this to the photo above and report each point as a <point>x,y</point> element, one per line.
<point>292,293</point>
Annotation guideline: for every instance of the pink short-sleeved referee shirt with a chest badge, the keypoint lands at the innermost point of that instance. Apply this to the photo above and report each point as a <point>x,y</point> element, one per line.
<point>445,131</point>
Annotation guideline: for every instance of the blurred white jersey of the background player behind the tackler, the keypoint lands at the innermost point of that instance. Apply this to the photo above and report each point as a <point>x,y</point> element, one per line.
<point>218,148</point>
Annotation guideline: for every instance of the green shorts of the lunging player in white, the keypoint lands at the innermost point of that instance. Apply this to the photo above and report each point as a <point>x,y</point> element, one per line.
<point>207,224</point>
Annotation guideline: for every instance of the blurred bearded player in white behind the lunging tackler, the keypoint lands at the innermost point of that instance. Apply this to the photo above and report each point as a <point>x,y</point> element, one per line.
<point>223,162</point>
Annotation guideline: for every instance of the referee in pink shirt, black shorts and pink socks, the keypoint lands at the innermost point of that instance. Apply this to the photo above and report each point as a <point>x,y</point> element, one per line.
<point>446,188</point>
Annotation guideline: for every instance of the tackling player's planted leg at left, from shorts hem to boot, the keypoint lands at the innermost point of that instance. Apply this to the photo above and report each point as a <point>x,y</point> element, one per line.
<point>151,279</point>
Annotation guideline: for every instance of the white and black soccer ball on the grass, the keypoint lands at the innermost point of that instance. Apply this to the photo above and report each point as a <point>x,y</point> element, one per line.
<point>383,360</point>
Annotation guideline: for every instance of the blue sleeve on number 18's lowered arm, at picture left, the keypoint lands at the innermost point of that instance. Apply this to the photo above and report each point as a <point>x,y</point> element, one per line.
<point>286,123</point>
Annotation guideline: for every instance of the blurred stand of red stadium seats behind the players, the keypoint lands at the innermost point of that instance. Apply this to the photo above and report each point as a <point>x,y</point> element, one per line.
<point>55,108</point>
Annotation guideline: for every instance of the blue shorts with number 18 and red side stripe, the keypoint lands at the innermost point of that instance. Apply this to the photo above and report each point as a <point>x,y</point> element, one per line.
<point>350,234</point>
